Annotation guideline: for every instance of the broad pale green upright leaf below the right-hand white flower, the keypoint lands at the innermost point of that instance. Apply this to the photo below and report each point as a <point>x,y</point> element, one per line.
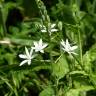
<point>60,68</point>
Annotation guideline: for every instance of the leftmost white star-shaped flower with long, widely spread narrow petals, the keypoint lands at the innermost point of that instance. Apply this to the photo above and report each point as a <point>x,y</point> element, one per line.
<point>27,56</point>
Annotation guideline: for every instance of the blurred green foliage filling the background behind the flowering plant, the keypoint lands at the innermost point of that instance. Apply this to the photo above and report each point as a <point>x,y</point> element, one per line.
<point>19,25</point>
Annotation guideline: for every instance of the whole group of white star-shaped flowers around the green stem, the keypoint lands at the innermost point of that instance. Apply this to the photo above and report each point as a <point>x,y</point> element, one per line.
<point>39,47</point>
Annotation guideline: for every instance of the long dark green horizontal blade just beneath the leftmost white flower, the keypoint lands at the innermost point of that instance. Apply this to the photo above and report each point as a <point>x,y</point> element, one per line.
<point>16,67</point>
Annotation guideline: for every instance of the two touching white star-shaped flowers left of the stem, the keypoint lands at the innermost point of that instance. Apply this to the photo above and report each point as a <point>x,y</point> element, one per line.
<point>28,56</point>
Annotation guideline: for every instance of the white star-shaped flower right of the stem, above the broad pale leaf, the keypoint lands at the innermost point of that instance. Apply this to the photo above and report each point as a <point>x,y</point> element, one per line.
<point>68,48</point>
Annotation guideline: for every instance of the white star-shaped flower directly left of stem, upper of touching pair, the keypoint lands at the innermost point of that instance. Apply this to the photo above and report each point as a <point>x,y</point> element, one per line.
<point>39,46</point>
